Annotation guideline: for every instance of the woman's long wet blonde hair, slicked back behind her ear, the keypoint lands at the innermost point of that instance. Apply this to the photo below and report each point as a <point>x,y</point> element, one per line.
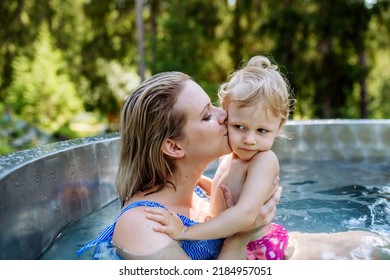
<point>148,117</point>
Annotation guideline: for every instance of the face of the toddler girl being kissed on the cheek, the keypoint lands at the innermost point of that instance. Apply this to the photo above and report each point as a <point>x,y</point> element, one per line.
<point>251,129</point>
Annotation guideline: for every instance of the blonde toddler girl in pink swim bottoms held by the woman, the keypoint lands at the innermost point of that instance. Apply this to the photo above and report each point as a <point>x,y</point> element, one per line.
<point>258,100</point>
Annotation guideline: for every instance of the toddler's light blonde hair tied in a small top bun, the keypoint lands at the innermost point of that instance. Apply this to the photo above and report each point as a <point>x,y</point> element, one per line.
<point>258,81</point>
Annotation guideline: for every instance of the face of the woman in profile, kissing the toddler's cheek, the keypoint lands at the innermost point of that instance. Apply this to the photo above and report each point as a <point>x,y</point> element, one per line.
<point>206,136</point>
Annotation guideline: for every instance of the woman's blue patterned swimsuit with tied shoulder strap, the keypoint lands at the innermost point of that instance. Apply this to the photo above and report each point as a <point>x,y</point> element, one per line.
<point>196,249</point>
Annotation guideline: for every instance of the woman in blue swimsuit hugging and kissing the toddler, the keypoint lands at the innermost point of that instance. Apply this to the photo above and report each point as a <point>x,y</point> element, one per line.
<point>170,132</point>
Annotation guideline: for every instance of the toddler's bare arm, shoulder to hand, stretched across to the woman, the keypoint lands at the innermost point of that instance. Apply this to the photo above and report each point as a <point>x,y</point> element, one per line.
<point>264,167</point>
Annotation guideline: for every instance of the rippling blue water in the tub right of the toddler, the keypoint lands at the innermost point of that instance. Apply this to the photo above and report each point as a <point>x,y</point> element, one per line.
<point>334,196</point>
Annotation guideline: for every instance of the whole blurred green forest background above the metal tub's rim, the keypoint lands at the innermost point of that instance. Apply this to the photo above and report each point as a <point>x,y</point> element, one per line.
<point>67,65</point>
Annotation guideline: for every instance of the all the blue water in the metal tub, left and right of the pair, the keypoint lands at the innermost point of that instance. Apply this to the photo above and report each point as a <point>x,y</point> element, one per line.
<point>318,196</point>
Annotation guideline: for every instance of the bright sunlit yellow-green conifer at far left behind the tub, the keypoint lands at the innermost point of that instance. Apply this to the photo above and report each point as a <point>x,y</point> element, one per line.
<point>41,92</point>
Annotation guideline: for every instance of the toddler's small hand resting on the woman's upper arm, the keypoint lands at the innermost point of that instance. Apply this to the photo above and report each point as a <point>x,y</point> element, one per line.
<point>170,222</point>
